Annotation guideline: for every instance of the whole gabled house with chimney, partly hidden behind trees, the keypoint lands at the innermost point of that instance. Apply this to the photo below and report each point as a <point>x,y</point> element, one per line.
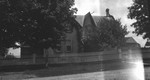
<point>73,41</point>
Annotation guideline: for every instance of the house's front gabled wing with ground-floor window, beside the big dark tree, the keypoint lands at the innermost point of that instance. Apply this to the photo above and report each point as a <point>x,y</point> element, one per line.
<point>72,41</point>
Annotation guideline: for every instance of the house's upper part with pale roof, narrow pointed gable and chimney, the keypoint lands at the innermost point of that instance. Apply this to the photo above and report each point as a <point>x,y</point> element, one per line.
<point>89,22</point>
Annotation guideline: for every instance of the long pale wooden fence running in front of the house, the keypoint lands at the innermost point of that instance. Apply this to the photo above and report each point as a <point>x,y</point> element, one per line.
<point>75,58</point>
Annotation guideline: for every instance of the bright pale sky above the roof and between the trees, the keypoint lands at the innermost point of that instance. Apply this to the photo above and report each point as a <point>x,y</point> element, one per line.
<point>118,8</point>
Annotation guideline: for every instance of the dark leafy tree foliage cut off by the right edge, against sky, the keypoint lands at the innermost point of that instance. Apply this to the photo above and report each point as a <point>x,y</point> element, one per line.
<point>140,12</point>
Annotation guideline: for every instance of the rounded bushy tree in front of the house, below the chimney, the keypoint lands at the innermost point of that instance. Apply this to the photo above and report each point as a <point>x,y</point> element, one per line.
<point>109,33</point>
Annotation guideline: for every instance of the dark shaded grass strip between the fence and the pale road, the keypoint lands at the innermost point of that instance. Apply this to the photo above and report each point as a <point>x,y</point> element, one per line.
<point>63,69</point>
